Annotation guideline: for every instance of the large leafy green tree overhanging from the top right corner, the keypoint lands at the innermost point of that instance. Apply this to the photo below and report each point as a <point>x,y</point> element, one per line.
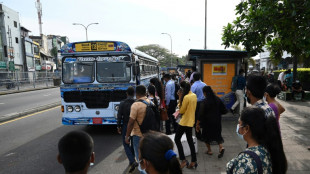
<point>281,25</point>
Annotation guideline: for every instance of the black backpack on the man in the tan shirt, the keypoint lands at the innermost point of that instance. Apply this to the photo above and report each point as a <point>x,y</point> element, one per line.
<point>151,119</point>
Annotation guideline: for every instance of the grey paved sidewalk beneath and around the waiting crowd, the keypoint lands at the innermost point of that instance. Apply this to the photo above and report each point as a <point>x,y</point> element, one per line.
<point>295,128</point>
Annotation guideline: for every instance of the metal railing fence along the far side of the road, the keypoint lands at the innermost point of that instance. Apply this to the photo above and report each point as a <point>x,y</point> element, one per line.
<point>24,80</point>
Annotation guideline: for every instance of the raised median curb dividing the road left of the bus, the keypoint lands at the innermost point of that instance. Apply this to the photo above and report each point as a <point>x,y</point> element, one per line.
<point>27,112</point>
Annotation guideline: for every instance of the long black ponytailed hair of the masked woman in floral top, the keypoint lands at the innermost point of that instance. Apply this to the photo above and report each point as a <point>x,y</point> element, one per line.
<point>265,132</point>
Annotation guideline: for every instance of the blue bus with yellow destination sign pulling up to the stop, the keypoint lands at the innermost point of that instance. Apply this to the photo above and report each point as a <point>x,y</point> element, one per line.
<point>95,77</point>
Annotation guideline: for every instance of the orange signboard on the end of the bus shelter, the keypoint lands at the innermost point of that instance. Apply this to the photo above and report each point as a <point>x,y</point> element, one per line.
<point>219,77</point>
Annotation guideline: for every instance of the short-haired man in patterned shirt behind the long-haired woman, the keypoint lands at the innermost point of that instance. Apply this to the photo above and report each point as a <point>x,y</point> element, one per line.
<point>255,90</point>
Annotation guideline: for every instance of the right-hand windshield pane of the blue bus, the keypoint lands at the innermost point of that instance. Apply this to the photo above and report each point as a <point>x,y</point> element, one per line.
<point>112,72</point>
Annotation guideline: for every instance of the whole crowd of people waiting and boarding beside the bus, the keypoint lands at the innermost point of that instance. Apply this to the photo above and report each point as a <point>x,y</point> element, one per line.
<point>190,104</point>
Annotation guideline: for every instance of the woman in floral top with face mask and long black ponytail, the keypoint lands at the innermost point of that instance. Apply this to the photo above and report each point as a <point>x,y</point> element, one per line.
<point>264,153</point>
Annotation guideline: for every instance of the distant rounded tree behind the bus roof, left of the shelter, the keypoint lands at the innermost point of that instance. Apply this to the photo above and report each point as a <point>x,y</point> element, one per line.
<point>162,54</point>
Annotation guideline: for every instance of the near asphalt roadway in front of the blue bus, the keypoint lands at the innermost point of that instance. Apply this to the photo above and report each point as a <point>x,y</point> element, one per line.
<point>29,145</point>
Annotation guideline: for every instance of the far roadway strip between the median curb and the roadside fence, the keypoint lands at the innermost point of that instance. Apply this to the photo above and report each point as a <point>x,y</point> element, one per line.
<point>19,102</point>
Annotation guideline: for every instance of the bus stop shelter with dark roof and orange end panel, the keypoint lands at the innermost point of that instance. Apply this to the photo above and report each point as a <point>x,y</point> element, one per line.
<point>218,67</point>
